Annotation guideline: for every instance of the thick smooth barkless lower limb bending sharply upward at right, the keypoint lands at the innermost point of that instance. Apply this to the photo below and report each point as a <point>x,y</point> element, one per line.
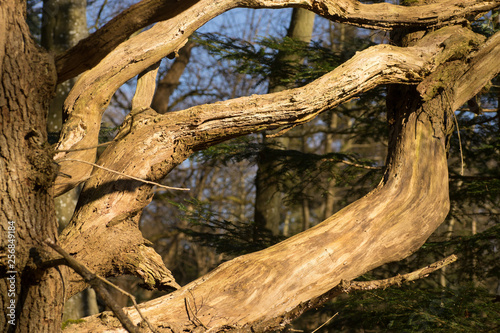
<point>388,224</point>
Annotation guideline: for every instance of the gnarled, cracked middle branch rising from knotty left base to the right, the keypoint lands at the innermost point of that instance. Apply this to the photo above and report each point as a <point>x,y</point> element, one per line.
<point>157,143</point>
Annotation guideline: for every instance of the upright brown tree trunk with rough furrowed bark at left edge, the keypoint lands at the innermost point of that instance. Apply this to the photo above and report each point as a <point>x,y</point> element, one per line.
<point>27,211</point>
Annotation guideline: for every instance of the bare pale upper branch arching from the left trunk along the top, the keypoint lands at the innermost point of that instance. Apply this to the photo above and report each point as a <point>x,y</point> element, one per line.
<point>92,93</point>
